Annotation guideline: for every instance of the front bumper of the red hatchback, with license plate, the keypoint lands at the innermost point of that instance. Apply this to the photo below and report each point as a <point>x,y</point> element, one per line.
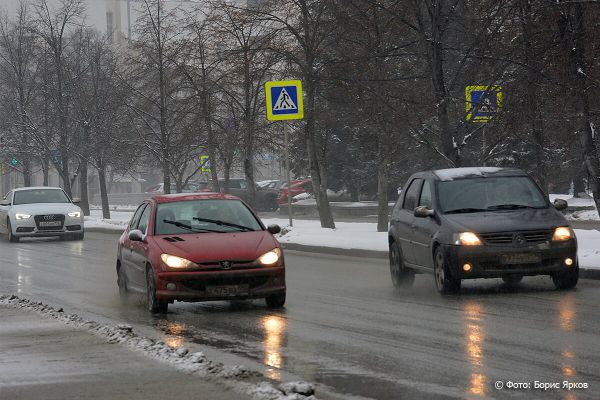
<point>196,285</point>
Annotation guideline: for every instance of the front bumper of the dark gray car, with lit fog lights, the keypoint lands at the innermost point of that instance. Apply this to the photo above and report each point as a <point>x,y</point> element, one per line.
<point>496,261</point>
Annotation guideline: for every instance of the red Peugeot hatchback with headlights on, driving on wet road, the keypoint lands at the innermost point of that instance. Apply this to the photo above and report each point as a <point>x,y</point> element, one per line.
<point>197,247</point>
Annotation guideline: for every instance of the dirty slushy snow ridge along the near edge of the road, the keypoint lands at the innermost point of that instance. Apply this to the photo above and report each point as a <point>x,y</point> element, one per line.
<point>181,358</point>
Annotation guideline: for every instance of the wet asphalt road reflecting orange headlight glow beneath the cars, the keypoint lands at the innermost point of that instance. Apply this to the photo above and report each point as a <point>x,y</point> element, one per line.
<point>345,326</point>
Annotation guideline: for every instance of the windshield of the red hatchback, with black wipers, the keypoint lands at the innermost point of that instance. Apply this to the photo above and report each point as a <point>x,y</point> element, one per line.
<point>209,215</point>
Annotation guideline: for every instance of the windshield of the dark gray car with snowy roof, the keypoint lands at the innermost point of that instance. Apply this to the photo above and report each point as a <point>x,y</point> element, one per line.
<point>489,194</point>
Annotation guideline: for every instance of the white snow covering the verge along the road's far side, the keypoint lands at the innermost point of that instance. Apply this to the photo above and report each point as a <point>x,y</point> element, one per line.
<point>349,235</point>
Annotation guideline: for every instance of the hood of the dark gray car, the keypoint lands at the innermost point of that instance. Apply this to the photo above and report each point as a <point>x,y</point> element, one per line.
<point>503,221</point>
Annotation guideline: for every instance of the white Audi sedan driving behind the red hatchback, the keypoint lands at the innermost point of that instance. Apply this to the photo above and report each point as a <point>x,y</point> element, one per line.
<point>38,212</point>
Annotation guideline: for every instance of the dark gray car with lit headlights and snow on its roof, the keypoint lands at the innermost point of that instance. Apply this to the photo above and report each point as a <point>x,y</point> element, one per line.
<point>466,223</point>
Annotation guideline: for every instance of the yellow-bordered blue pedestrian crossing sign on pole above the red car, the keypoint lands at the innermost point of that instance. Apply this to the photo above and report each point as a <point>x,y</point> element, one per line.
<point>284,100</point>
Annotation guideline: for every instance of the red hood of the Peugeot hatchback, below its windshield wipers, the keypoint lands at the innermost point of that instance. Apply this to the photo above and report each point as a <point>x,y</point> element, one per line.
<point>204,247</point>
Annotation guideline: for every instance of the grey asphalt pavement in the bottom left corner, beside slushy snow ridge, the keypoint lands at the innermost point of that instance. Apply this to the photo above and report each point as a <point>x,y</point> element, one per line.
<point>41,358</point>
